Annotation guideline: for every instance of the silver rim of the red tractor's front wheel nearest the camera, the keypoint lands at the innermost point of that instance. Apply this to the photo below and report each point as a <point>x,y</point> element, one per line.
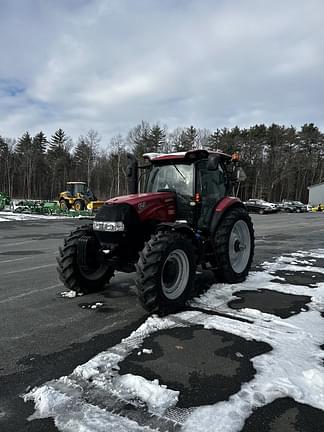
<point>175,274</point>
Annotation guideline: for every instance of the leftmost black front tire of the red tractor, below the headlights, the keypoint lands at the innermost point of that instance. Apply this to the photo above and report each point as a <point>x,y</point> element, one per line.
<point>82,278</point>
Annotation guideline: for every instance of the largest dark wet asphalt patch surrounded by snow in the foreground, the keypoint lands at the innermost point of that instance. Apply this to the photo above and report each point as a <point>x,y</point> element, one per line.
<point>206,366</point>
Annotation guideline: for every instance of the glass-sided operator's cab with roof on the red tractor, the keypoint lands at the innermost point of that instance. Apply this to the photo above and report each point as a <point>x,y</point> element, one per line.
<point>199,180</point>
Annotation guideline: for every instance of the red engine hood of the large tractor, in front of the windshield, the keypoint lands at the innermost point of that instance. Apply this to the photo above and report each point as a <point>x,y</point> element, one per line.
<point>159,206</point>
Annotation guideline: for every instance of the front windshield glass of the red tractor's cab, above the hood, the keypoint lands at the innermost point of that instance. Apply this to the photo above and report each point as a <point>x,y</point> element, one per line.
<point>174,177</point>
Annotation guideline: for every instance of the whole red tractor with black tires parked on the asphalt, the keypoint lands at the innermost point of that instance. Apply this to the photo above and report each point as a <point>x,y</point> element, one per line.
<point>184,218</point>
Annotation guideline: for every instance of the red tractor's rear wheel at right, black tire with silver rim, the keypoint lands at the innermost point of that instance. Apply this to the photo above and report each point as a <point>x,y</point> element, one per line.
<point>234,246</point>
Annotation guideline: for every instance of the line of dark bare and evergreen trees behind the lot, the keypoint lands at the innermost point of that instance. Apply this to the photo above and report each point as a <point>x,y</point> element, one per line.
<point>280,162</point>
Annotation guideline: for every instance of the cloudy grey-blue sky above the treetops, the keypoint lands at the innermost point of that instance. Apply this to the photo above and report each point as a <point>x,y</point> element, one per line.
<point>108,64</point>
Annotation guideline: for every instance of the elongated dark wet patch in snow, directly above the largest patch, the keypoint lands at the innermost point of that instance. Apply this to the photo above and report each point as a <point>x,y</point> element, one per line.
<point>268,301</point>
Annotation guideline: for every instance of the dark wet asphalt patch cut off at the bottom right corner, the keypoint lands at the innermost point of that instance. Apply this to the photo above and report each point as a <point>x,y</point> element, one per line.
<point>285,415</point>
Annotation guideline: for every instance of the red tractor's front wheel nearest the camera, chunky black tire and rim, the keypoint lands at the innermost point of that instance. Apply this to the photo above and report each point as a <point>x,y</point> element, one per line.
<point>166,272</point>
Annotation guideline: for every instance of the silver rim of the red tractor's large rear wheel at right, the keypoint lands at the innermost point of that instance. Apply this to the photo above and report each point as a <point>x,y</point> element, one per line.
<point>239,246</point>
